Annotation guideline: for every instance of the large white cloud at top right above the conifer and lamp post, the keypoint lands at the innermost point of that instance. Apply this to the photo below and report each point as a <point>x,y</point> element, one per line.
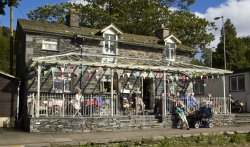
<point>235,10</point>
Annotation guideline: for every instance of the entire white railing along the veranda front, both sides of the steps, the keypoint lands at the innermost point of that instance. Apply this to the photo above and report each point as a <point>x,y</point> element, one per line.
<point>64,105</point>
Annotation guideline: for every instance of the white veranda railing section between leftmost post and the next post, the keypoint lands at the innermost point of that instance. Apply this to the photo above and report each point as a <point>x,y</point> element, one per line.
<point>65,105</point>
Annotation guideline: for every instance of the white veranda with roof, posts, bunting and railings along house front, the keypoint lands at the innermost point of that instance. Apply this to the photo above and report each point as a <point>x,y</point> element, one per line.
<point>105,82</point>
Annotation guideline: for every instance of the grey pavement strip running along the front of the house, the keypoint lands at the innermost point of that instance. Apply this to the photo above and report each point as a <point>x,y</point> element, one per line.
<point>16,138</point>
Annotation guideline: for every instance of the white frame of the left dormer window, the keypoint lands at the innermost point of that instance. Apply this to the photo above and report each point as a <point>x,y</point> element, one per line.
<point>107,50</point>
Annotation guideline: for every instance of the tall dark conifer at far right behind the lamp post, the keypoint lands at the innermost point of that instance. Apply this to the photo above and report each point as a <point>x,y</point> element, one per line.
<point>235,50</point>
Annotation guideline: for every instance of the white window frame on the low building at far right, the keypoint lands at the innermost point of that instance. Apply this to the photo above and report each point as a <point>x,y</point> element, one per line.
<point>237,83</point>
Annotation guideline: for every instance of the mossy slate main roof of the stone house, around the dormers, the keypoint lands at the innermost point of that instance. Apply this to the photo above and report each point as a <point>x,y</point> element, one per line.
<point>38,26</point>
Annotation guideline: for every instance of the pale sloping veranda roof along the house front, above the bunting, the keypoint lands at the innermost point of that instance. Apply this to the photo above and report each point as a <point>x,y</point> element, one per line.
<point>126,63</point>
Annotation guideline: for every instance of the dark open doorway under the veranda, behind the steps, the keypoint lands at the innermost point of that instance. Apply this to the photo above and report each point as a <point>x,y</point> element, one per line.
<point>147,93</point>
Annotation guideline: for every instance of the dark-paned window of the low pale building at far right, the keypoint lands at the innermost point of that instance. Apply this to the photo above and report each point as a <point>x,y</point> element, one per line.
<point>237,83</point>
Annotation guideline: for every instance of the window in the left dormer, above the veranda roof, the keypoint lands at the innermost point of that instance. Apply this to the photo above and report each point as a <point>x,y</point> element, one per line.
<point>110,44</point>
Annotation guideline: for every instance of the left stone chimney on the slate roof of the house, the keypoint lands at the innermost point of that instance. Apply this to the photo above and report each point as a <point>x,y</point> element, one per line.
<point>72,19</point>
